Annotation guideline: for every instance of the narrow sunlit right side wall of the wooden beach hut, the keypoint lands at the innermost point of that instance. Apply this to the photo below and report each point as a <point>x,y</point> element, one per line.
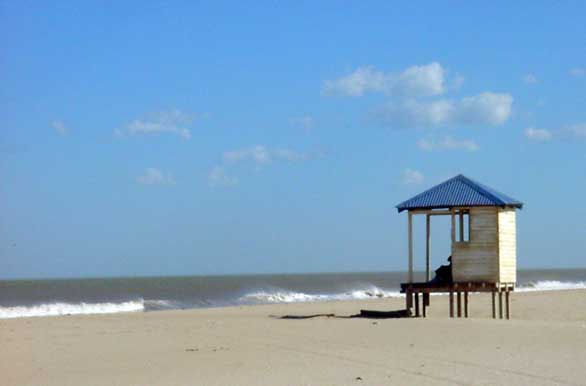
<point>507,246</point>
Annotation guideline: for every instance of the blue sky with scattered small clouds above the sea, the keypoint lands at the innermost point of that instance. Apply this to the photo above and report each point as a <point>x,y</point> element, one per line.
<point>148,138</point>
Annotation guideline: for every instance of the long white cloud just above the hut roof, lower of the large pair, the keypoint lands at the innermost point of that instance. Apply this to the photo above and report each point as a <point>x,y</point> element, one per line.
<point>484,109</point>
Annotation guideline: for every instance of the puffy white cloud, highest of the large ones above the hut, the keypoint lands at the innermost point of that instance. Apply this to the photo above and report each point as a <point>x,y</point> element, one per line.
<point>425,80</point>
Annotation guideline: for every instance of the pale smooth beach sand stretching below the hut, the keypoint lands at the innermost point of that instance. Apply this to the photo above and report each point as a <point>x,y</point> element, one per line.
<point>543,344</point>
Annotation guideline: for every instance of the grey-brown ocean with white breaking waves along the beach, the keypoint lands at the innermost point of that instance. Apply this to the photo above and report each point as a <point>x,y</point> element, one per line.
<point>29,298</point>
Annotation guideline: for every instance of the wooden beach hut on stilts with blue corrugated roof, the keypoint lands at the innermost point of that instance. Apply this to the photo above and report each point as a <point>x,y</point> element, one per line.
<point>483,243</point>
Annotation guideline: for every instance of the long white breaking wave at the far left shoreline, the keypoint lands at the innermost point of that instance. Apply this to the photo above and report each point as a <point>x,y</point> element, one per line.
<point>54,309</point>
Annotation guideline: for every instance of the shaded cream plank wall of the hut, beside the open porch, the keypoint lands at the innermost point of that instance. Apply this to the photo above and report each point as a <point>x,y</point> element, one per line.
<point>477,260</point>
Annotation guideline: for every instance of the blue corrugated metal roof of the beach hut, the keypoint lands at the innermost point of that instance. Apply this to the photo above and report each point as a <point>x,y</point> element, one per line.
<point>458,191</point>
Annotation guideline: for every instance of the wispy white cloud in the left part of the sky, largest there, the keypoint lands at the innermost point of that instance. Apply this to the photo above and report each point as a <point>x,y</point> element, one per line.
<point>172,122</point>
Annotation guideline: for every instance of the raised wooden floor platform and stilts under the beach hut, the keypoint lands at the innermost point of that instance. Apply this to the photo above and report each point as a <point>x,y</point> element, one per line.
<point>459,290</point>
